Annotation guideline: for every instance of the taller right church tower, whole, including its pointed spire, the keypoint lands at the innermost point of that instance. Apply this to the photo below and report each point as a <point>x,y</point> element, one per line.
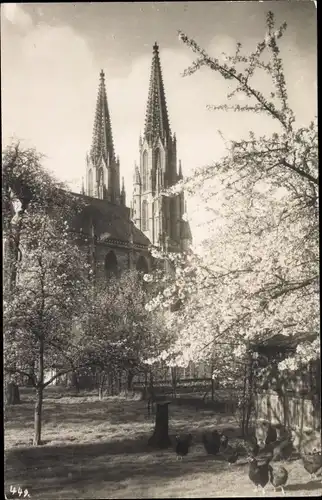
<point>160,218</point>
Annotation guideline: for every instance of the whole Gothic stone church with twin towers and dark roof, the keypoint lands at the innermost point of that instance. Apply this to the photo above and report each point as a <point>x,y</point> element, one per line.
<point>120,236</point>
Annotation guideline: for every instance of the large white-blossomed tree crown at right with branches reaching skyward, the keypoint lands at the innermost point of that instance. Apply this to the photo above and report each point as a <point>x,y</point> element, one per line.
<point>256,274</point>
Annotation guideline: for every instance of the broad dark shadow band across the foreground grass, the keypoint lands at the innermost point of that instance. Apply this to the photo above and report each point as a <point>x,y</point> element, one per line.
<point>57,468</point>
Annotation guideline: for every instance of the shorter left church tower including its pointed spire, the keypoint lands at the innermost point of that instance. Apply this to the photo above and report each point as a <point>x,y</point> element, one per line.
<point>102,167</point>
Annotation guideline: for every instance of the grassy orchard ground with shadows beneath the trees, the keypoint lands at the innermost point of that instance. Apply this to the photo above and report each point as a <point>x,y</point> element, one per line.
<point>98,449</point>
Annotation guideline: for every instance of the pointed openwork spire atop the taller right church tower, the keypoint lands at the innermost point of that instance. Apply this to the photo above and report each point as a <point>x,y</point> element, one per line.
<point>156,121</point>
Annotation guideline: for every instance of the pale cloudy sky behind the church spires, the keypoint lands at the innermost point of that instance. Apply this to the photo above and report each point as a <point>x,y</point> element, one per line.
<point>52,53</point>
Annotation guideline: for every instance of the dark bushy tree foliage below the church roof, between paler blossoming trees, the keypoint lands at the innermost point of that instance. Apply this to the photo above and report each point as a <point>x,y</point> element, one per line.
<point>119,333</point>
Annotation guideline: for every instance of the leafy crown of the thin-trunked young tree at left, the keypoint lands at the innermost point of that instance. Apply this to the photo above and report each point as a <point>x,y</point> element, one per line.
<point>49,293</point>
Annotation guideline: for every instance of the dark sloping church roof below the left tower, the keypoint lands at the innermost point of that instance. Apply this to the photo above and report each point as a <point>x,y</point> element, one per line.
<point>112,223</point>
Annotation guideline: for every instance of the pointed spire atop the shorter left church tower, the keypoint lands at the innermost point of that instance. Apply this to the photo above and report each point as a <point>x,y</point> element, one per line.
<point>102,144</point>
